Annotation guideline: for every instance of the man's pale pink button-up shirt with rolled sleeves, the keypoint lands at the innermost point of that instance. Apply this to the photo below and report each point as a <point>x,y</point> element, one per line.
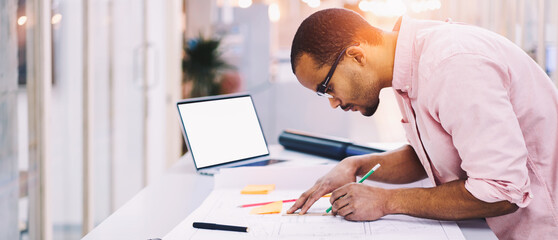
<point>476,107</point>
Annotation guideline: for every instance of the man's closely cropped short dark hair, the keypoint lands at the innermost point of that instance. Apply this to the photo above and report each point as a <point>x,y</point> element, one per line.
<point>324,34</point>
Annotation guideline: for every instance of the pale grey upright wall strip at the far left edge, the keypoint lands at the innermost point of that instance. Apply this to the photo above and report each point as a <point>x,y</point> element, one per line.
<point>9,176</point>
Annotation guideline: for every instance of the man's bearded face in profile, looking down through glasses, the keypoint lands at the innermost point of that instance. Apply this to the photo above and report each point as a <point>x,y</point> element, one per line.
<point>352,87</point>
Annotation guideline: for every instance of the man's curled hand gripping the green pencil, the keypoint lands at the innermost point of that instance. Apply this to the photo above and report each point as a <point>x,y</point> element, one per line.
<point>359,202</point>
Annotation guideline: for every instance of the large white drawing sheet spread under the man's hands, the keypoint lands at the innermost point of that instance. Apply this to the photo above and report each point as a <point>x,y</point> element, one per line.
<point>221,206</point>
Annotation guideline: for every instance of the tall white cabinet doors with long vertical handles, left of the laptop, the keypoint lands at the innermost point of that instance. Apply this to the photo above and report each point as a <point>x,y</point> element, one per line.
<point>121,33</point>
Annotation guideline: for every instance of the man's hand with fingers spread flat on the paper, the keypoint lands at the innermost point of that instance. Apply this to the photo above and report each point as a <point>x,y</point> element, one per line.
<point>343,173</point>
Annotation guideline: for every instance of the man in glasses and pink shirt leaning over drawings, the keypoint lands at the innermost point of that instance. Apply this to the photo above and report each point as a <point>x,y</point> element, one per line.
<point>481,118</point>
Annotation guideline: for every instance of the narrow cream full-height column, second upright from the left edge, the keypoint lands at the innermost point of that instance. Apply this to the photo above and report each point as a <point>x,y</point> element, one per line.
<point>39,85</point>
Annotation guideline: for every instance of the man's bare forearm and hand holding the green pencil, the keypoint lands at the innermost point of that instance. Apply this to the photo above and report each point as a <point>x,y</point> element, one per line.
<point>449,201</point>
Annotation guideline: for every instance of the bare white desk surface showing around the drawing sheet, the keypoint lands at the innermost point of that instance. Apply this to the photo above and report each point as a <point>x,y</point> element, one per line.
<point>159,207</point>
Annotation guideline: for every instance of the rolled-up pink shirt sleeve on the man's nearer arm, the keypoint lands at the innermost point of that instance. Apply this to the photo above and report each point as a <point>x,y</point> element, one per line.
<point>472,103</point>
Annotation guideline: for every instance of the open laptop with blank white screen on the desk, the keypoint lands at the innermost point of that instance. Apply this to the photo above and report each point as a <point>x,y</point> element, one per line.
<point>223,131</point>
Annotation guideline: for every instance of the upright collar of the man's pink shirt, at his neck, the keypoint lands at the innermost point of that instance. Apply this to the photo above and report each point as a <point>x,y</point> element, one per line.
<point>402,65</point>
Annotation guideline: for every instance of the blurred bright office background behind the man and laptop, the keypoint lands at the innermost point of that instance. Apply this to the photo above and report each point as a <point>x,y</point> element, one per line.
<point>88,90</point>
